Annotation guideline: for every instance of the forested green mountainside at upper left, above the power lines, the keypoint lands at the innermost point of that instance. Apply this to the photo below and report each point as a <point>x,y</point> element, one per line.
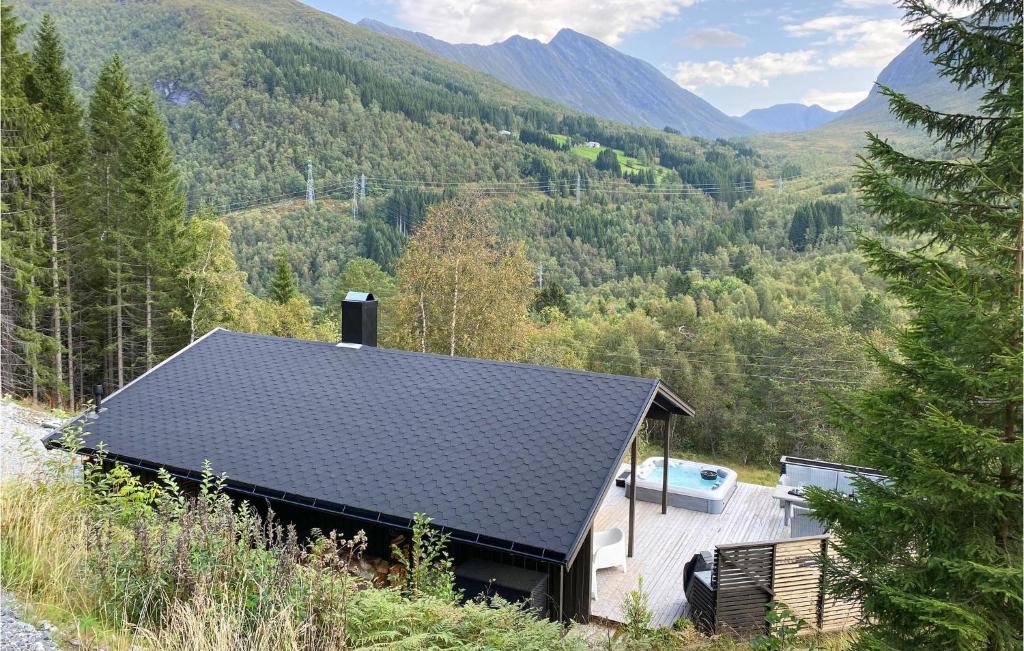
<point>252,89</point>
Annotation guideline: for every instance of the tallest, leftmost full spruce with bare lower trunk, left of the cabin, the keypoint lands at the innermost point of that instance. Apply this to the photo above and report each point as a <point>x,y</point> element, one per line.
<point>51,89</point>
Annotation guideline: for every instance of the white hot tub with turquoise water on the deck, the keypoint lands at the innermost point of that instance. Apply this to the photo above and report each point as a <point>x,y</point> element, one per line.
<point>687,489</point>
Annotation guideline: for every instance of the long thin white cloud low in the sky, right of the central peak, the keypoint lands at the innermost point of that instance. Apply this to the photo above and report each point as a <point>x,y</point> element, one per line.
<point>745,71</point>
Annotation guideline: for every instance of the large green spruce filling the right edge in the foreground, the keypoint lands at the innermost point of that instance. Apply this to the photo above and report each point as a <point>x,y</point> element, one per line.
<point>934,555</point>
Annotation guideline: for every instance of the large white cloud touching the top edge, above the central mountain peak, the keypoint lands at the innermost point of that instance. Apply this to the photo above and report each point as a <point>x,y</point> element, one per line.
<point>492,21</point>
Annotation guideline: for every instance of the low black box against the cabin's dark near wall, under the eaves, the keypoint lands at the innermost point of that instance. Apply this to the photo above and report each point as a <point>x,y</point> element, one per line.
<point>486,580</point>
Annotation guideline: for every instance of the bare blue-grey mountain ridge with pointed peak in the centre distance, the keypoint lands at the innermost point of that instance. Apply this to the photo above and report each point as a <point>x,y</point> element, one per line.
<point>583,73</point>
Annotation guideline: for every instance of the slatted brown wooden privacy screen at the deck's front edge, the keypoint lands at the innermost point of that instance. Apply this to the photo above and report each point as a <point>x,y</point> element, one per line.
<point>748,578</point>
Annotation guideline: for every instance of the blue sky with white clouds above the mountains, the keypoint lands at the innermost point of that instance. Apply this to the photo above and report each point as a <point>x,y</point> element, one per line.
<point>738,55</point>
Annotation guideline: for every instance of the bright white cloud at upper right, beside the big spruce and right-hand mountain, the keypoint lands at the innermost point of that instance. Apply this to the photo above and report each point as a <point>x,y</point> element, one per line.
<point>862,42</point>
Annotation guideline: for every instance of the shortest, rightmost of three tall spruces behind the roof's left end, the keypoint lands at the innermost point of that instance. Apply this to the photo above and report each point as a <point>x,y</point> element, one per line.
<point>156,209</point>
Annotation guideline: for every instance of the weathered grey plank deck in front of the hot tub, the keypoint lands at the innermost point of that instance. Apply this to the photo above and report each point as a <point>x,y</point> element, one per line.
<point>666,543</point>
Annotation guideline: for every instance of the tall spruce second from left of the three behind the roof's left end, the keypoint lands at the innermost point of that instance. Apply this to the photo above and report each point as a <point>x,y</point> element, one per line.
<point>110,124</point>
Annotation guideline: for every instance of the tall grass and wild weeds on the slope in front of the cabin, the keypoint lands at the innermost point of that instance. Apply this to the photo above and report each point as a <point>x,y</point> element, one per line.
<point>165,570</point>
